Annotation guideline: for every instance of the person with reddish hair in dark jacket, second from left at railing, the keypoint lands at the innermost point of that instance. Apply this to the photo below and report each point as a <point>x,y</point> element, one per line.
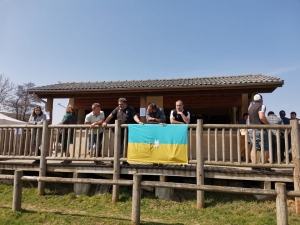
<point>69,118</point>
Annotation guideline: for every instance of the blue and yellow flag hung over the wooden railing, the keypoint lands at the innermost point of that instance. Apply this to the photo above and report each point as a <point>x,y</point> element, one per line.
<point>155,143</point>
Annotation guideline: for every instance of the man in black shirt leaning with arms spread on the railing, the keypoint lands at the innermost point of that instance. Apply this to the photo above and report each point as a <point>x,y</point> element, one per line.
<point>127,115</point>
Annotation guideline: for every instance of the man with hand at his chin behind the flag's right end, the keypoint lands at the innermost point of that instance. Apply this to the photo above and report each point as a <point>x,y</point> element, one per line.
<point>180,115</point>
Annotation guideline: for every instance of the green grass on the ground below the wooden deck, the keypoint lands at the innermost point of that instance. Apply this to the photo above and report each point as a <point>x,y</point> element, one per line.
<point>61,206</point>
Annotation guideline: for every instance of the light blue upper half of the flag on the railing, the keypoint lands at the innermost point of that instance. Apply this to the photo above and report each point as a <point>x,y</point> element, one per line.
<point>150,133</point>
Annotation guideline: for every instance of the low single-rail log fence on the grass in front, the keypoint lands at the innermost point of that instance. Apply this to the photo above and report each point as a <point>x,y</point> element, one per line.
<point>137,183</point>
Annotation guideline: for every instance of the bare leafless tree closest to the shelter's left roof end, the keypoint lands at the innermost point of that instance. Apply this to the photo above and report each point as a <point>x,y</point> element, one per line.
<point>22,103</point>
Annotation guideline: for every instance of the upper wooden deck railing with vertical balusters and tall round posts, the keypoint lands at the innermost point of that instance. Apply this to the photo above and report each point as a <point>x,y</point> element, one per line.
<point>209,144</point>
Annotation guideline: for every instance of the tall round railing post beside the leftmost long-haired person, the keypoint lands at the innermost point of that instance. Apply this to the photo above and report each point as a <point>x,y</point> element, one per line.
<point>43,163</point>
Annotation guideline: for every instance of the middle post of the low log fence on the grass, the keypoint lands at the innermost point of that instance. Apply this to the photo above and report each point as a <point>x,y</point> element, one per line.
<point>136,199</point>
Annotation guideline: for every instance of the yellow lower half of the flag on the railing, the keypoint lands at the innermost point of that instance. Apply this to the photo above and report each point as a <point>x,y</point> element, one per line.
<point>163,153</point>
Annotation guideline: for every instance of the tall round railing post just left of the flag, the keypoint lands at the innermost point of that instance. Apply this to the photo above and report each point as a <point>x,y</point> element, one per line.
<point>116,172</point>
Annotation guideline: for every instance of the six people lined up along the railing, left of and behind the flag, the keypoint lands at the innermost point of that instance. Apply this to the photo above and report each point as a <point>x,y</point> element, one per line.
<point>97,121</point>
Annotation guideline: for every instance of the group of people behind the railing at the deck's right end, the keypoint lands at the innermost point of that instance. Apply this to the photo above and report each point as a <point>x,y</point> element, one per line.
<point>257,115</point>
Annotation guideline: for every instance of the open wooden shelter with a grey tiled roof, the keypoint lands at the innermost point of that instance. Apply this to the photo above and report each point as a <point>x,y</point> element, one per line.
<point>215,99</point>
